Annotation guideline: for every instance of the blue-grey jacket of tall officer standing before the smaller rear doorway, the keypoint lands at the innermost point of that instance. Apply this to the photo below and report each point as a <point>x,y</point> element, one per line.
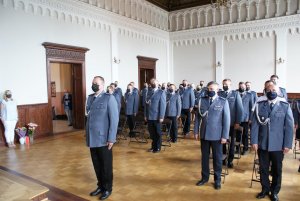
<point>155,104</point>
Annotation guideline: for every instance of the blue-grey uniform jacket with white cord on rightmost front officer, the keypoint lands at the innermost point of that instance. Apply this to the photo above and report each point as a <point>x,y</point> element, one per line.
<point>277,134</point>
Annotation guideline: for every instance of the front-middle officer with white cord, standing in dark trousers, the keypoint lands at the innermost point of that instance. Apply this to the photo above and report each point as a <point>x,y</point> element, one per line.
<point>214,131</point>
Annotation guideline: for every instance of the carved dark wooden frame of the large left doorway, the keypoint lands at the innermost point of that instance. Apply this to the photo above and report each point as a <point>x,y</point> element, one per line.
<point>63,54</point>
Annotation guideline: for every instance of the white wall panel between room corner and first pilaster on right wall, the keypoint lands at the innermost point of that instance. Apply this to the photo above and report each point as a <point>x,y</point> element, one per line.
<point>194,62</point>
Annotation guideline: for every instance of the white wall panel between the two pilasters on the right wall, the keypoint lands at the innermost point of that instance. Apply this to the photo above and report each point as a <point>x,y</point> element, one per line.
<point>249,60</point>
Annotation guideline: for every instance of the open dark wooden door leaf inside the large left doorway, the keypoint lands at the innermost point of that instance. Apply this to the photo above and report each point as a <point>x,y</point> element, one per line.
<point>78,96</point>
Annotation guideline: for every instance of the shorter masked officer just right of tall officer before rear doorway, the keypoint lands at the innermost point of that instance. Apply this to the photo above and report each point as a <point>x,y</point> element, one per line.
<point>173,111</point>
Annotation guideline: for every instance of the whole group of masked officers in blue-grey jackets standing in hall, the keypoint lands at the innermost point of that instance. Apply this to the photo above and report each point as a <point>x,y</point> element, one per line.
<point>218,113</point>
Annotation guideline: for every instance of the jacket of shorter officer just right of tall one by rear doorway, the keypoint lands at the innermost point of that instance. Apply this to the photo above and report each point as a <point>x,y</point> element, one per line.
<point>173,105</point>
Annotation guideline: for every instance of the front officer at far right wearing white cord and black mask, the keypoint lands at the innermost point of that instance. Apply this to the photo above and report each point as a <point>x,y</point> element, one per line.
<point>272,137</point>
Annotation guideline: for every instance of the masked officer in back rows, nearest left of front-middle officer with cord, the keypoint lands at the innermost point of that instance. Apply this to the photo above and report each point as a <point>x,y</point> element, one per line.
<point>188,102</point>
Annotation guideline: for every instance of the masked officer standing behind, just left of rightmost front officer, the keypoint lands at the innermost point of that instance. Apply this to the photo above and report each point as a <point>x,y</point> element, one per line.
<point>247,100</point>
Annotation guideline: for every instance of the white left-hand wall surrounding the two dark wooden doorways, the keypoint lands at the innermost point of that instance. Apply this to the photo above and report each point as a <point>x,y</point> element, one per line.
<point>25,26</point>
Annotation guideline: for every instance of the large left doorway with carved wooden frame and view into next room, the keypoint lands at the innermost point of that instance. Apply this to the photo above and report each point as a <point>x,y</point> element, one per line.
<point>66,73</point>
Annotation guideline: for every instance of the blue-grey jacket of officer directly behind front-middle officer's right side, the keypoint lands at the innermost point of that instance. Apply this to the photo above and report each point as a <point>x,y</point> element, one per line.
<point>235,105</point>
